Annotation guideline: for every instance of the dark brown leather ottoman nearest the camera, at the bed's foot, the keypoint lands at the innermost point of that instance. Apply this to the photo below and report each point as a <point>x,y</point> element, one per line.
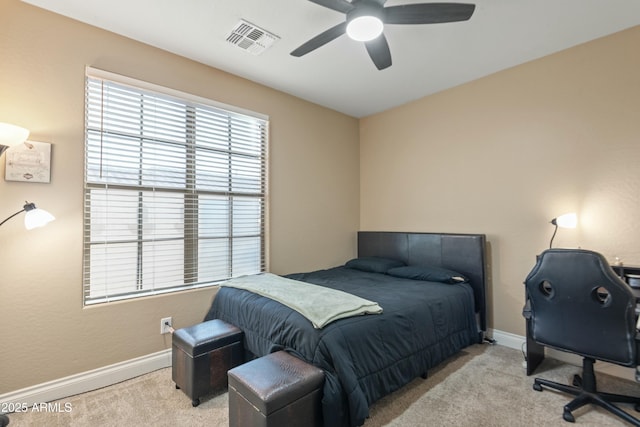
<point>277,390</point>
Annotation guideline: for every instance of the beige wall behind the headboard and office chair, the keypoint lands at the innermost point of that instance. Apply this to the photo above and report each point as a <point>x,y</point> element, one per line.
<point>504,154</point>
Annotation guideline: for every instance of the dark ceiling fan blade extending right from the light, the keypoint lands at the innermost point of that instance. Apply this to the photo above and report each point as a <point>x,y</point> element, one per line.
<point>428,13</point>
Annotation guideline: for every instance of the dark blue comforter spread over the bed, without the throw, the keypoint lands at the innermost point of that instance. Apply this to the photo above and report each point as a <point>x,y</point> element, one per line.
<point>366,357</point>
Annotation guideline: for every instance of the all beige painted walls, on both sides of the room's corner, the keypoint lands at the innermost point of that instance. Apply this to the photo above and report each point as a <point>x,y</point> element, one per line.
<point>501,156</point>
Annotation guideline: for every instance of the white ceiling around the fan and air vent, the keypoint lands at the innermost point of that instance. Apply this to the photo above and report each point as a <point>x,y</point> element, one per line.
<point>340,75</point>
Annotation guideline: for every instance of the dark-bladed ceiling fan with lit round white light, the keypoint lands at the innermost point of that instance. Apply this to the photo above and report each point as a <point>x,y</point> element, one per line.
<point>366,18</point>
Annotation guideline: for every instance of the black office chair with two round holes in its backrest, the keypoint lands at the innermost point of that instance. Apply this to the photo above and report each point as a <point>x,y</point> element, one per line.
<point>577,304</point>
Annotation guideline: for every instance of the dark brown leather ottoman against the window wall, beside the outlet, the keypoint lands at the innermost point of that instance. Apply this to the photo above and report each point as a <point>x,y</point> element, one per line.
<point>201,356</point>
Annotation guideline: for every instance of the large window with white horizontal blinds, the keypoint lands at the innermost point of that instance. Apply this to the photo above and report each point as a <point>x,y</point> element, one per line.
<point>175,190</point>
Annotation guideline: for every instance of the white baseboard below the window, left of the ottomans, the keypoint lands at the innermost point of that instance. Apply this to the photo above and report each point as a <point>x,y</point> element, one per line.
<point>90,380</point>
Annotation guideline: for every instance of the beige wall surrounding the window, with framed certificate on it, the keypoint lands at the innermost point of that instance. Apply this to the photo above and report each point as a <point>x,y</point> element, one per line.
<point>46,333</point>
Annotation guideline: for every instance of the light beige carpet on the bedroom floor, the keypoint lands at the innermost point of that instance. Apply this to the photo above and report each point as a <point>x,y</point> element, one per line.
<point>482,386</point>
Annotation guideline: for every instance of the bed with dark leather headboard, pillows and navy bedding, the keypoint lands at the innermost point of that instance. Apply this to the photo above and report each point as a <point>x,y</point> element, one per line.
<point>367,357</point>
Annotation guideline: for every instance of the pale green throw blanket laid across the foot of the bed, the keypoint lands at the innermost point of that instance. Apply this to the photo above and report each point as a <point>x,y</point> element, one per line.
<point>319,304</point>
